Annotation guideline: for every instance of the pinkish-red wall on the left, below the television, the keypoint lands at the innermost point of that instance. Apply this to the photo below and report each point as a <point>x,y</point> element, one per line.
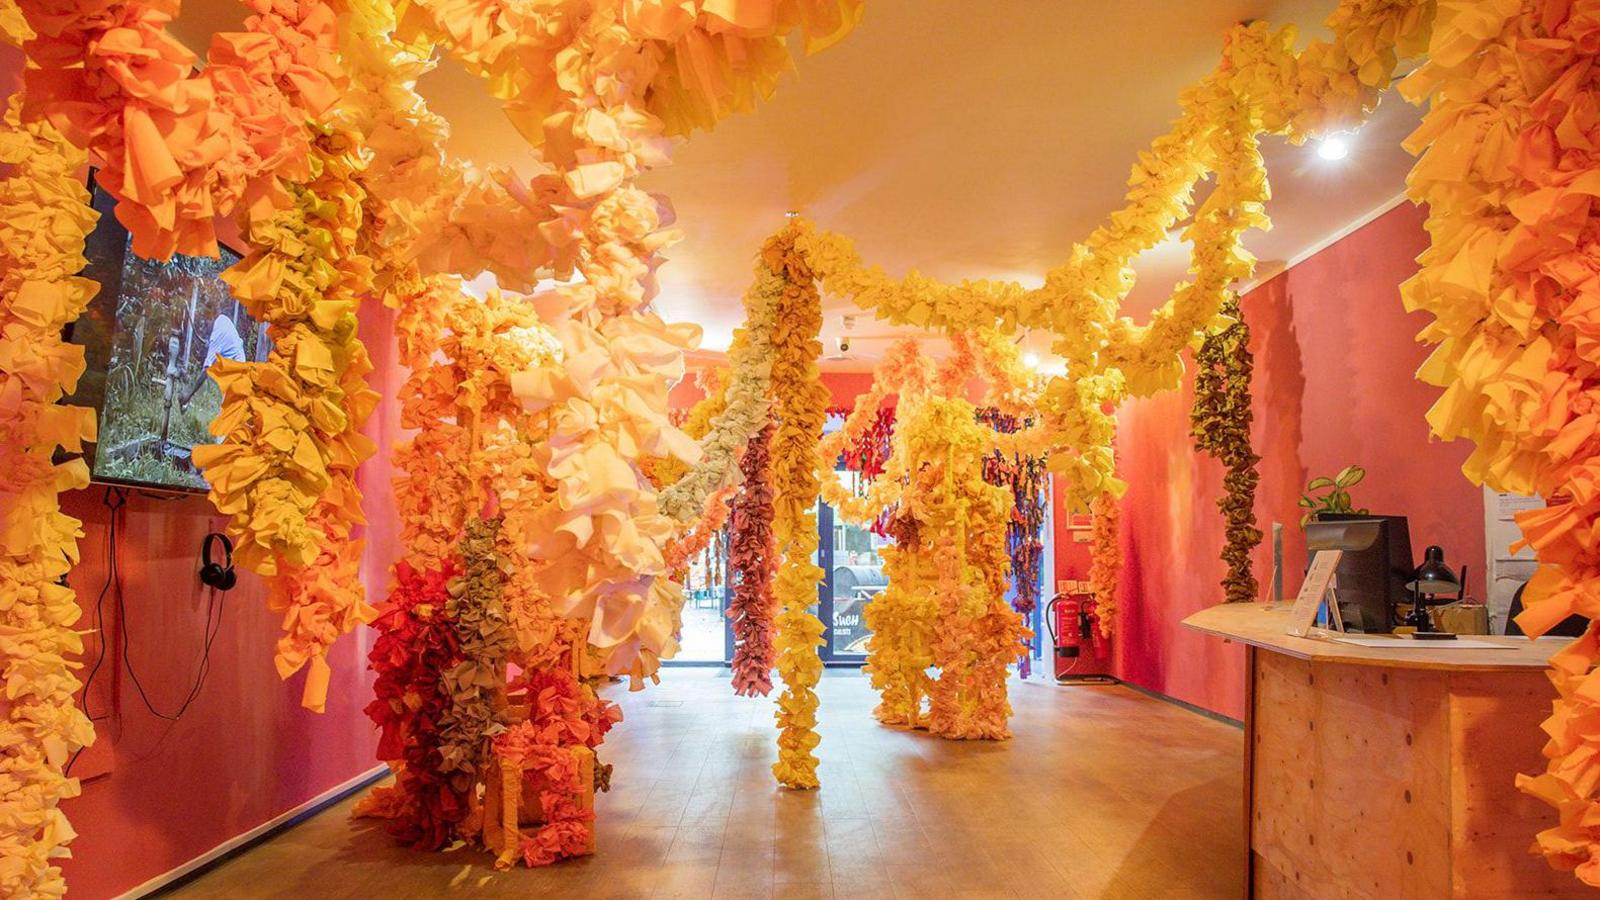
<point>246,750</point>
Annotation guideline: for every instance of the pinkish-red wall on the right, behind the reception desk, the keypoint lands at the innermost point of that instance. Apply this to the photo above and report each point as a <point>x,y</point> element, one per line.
<point>1335,385</point>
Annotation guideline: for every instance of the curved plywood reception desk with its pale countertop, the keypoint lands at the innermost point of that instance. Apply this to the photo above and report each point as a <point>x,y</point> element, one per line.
<point>1377,773</point>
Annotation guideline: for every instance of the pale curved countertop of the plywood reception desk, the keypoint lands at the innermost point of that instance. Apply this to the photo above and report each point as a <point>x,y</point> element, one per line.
<point>1265,627</point>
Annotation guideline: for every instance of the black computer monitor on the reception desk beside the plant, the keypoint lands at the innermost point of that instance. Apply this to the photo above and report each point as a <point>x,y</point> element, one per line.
<point>1374,571</point>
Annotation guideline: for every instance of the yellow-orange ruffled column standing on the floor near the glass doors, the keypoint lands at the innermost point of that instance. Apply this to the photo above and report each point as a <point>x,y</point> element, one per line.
<point>948,499</point>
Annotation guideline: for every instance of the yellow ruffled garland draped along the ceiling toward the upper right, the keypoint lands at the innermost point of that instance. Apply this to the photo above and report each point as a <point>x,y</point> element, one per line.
<point>1262,86</point>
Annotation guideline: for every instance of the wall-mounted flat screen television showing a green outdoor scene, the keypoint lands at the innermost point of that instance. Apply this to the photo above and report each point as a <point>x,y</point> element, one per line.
<point>148,339</point>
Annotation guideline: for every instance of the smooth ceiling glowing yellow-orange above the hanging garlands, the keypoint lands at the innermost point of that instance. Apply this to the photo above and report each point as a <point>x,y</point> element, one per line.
<point>958,143</point>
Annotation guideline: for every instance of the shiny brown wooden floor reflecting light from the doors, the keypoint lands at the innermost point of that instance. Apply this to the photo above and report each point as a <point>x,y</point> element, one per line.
<point>1103,794</point>
